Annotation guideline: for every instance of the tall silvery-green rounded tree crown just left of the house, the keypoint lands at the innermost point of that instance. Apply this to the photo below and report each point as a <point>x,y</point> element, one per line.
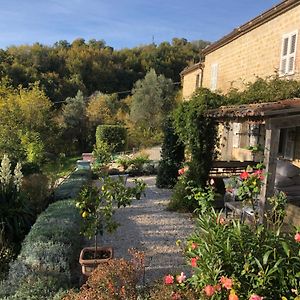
<point>152,100</point>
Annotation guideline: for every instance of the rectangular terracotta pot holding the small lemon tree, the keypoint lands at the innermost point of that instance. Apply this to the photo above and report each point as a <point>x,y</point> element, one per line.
<point>89,263</point>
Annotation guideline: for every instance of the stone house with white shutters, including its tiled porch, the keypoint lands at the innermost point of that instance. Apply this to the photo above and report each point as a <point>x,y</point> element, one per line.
<point>264,46</point>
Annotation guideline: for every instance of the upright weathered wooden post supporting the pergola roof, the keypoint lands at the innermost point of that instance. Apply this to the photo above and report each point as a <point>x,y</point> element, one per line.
<point>270,157</point>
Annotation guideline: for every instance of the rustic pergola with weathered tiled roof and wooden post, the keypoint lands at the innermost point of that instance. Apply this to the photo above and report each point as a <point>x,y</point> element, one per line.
<point>275,116</point>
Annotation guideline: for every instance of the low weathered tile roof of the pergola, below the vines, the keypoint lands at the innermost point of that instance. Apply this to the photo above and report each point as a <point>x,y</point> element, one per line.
<point>257,110</point>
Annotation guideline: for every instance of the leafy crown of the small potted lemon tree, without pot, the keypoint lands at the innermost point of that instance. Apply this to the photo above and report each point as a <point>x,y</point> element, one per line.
<point>97,206</point>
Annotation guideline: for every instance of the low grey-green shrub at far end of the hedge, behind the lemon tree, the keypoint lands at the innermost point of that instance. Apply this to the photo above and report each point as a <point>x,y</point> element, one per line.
<point>71,186</point>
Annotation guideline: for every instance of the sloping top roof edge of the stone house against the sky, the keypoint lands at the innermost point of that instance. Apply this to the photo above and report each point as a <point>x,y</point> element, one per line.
<point>265,17</point>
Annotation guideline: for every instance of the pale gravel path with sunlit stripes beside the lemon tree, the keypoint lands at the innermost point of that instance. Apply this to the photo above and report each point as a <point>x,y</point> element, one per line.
<point>147,226</point>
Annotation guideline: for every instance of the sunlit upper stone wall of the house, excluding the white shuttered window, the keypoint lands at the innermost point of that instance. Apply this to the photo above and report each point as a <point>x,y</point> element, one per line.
<point>255,51</point>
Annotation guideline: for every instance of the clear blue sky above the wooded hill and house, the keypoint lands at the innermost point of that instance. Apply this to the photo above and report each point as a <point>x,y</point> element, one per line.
<point>122,23</point>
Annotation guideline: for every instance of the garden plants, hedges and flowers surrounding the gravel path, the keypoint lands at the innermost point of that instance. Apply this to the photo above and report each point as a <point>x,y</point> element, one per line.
<point>45,222</point>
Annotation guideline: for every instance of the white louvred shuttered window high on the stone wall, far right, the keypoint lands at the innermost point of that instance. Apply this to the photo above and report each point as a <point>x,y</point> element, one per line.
<point>288,53</point>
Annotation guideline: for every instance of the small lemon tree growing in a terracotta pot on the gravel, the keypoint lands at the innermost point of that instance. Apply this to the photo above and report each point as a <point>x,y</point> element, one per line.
<point>97,206</point>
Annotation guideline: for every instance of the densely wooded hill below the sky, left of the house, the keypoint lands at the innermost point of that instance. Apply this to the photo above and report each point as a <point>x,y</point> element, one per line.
<point>64,68</point>
